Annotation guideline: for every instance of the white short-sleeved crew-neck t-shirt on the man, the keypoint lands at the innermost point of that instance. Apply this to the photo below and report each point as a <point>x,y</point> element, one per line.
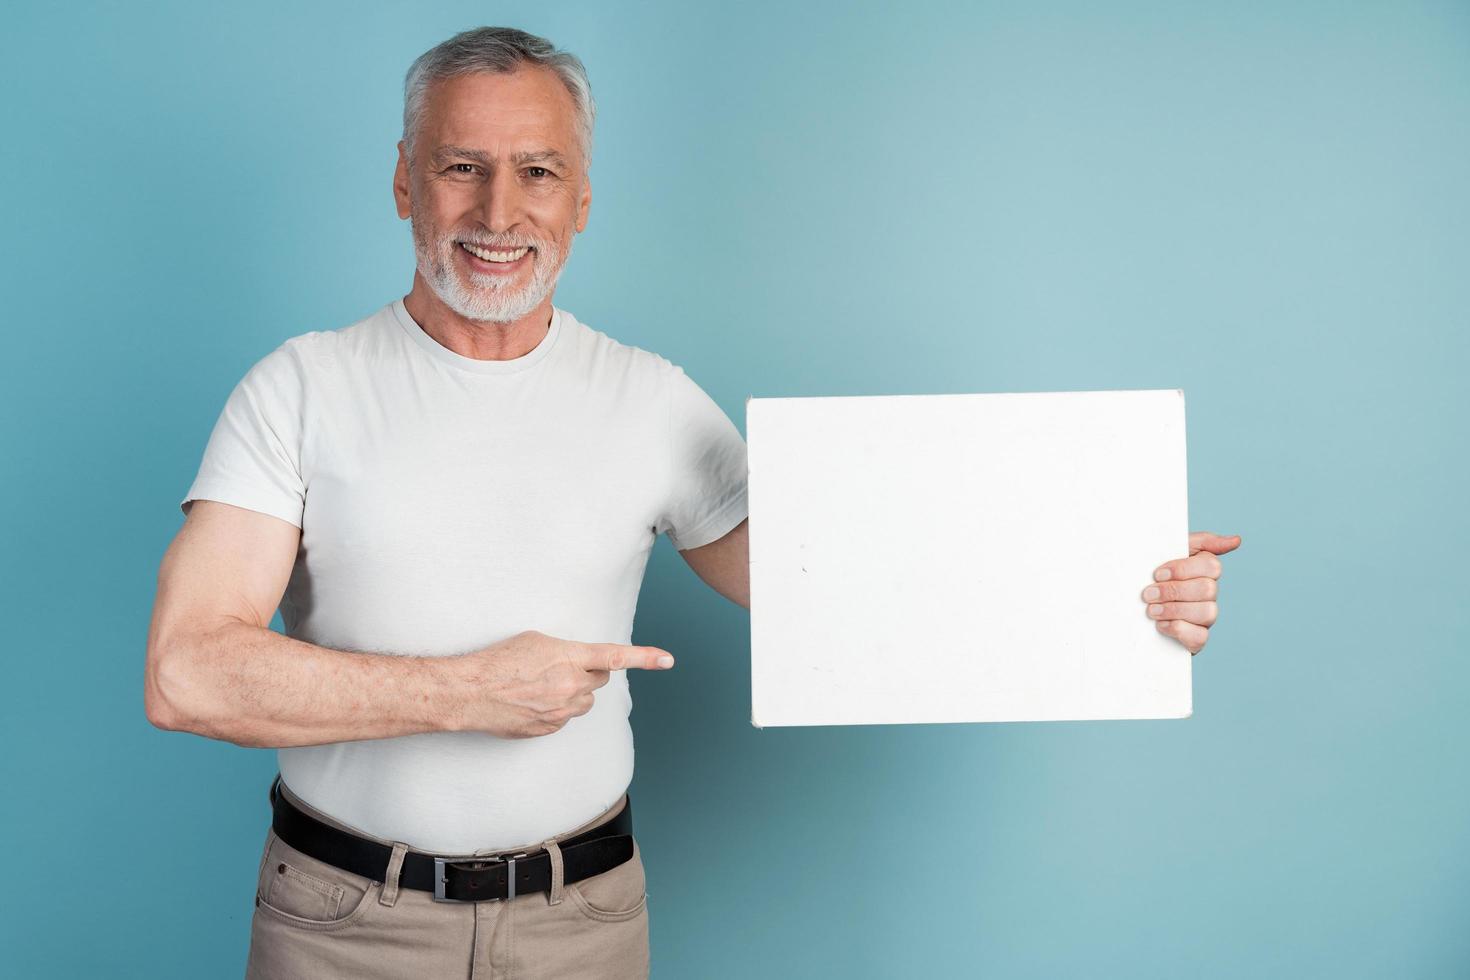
<point>448,503</point>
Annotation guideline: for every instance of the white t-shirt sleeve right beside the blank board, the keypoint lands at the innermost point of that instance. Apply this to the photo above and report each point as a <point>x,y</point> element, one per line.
<point>708,491</point>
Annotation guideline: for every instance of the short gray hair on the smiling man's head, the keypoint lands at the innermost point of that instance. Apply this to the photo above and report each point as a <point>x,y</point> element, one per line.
<point>501,51</point>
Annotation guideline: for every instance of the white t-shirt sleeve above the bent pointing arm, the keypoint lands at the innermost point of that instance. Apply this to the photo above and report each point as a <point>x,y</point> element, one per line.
<point>254,458</point>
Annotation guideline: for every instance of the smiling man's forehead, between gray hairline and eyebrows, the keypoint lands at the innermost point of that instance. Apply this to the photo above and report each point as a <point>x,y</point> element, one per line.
<point>492,112</point>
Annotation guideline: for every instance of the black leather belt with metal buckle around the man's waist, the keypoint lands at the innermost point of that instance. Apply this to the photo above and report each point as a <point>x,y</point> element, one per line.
<point>471,879</point>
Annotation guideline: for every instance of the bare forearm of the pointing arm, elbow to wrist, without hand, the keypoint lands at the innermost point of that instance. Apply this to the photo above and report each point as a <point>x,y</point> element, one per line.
<point>257,688</point>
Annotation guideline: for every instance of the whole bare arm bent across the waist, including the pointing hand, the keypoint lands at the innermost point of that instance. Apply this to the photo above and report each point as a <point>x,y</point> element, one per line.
<point>217,668</point>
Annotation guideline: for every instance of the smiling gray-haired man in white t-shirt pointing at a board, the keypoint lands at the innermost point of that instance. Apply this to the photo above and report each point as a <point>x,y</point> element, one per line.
<point>453,503</point>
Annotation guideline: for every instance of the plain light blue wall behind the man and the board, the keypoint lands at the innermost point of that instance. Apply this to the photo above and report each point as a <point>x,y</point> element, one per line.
<point>1265,205</point>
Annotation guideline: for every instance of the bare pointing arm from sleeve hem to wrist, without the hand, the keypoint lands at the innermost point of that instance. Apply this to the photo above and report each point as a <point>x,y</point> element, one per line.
<point>215,668</point>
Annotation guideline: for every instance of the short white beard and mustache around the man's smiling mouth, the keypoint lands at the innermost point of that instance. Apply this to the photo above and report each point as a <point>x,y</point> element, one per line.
<point>489,298</point>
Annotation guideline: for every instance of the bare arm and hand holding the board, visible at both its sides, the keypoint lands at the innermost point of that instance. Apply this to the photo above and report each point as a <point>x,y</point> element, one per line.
<point>1184,599</point>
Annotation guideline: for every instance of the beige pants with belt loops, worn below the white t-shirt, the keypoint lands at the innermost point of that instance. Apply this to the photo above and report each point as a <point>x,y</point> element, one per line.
<point>317,922</point>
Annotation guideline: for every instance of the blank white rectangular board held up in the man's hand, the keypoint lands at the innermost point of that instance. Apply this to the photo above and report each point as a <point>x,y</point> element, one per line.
<point>967,558</point>
